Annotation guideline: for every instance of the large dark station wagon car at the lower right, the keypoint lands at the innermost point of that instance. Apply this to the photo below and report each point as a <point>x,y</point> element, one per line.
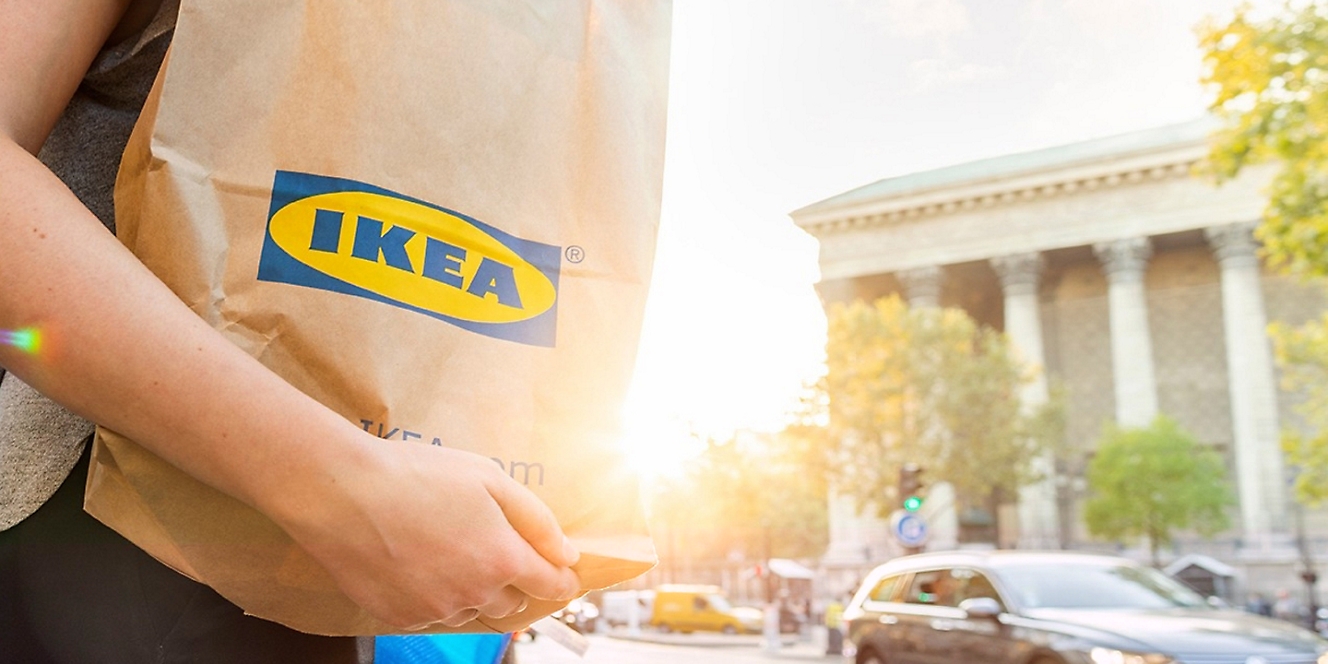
<point>1019,608</point>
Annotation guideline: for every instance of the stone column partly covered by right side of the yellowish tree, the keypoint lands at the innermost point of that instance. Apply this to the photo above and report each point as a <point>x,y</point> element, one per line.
<point>1039,524</point>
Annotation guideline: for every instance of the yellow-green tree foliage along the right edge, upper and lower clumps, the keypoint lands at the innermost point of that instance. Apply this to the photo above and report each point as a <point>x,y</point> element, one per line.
<point>1270,83</point>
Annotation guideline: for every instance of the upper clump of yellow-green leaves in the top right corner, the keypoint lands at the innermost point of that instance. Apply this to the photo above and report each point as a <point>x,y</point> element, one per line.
<point>1270,84</point>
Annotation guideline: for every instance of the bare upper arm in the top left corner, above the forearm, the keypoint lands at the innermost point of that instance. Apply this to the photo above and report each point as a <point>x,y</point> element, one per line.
<point>46,54</point>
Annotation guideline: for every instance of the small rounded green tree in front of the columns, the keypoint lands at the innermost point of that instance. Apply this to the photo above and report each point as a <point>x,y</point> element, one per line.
<point>1153,481</point>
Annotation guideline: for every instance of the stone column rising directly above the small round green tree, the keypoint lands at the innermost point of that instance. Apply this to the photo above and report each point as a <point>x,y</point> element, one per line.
<point>1132,346</point>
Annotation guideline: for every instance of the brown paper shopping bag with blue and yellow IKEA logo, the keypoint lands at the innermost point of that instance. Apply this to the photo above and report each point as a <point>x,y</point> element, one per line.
<point>436,217</point>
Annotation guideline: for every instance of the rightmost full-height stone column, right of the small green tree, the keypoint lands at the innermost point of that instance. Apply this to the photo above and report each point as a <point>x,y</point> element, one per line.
<point>1253,383</point>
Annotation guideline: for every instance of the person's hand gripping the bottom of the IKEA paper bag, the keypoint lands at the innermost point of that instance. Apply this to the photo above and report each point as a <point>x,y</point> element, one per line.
<point>420,536</point>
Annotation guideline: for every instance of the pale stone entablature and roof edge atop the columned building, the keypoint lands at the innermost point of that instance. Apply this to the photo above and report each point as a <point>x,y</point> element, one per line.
<point>1132,185</point>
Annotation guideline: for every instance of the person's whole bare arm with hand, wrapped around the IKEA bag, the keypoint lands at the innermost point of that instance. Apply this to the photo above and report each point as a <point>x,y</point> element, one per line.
<point>415,535</point>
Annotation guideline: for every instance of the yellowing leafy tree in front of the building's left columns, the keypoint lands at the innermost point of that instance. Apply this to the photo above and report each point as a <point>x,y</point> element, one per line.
<point>928,387</point>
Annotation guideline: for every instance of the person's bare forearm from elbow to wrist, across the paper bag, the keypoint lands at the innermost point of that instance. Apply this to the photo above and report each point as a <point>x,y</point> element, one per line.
<point>119,349</point>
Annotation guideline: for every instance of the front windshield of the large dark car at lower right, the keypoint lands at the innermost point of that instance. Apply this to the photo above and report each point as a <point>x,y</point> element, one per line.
<point>1096,586</point>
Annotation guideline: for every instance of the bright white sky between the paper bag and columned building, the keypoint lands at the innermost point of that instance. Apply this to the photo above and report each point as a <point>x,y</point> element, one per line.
<point>779,104</point>
